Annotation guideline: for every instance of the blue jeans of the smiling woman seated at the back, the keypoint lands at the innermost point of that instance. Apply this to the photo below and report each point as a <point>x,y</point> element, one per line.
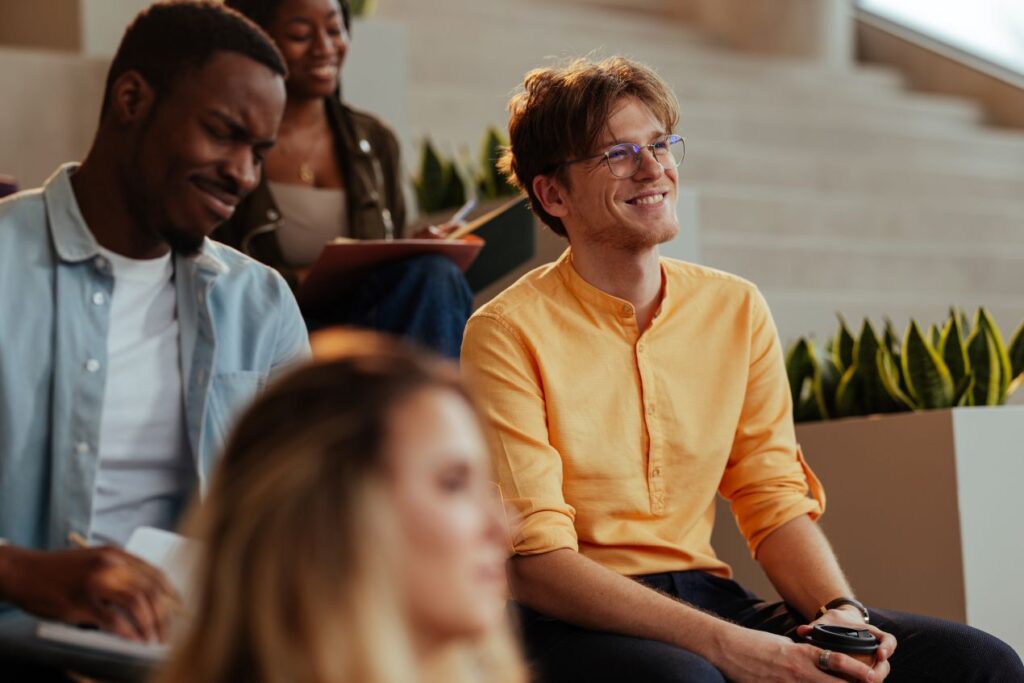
<point>424,300</point>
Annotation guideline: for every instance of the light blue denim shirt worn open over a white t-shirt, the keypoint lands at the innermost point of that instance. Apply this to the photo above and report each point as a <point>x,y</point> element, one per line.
<point>238,324</point>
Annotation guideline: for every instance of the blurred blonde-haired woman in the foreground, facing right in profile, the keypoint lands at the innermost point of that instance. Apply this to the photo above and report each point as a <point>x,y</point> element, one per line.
<point>352,534</point>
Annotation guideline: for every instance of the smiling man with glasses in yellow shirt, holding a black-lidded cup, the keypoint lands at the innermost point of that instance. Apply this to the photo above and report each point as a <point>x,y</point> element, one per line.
<point>627,392</point>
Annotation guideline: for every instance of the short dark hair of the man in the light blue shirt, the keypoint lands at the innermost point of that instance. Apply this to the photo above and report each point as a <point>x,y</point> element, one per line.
<point>173,37</point>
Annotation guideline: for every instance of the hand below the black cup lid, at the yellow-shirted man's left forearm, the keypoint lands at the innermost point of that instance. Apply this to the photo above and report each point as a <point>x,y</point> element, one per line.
<point>759,657</point>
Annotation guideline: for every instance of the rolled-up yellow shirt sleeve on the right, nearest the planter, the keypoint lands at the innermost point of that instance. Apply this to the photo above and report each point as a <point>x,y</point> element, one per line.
<point>767,481</point>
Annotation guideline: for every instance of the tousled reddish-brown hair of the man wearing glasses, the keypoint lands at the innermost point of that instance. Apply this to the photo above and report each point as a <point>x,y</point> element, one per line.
<point>562,112</point>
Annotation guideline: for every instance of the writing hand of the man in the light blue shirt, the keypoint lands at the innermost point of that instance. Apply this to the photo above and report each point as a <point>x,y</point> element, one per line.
<point>103,587</point>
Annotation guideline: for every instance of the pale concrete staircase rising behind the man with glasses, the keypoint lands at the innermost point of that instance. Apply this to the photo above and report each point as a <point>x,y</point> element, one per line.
<point>832,190</point>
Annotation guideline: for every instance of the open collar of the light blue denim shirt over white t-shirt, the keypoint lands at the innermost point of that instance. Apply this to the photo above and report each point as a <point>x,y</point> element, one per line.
<point>71,235</point>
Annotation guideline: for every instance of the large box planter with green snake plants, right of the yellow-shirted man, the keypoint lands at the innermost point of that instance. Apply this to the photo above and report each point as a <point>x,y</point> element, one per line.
<point>922,465</point>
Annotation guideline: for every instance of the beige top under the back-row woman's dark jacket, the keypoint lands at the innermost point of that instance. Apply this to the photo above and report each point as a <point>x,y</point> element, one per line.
<point>311,219</point>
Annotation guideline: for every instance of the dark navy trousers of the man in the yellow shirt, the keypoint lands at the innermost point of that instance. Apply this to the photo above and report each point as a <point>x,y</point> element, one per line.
<point>929,650</point>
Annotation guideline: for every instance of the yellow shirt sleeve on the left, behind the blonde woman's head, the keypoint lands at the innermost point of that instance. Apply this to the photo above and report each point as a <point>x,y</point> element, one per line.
<point>506,378</point>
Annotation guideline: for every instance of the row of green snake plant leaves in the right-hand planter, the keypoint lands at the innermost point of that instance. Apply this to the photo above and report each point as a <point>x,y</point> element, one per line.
<point>953,365</point>
